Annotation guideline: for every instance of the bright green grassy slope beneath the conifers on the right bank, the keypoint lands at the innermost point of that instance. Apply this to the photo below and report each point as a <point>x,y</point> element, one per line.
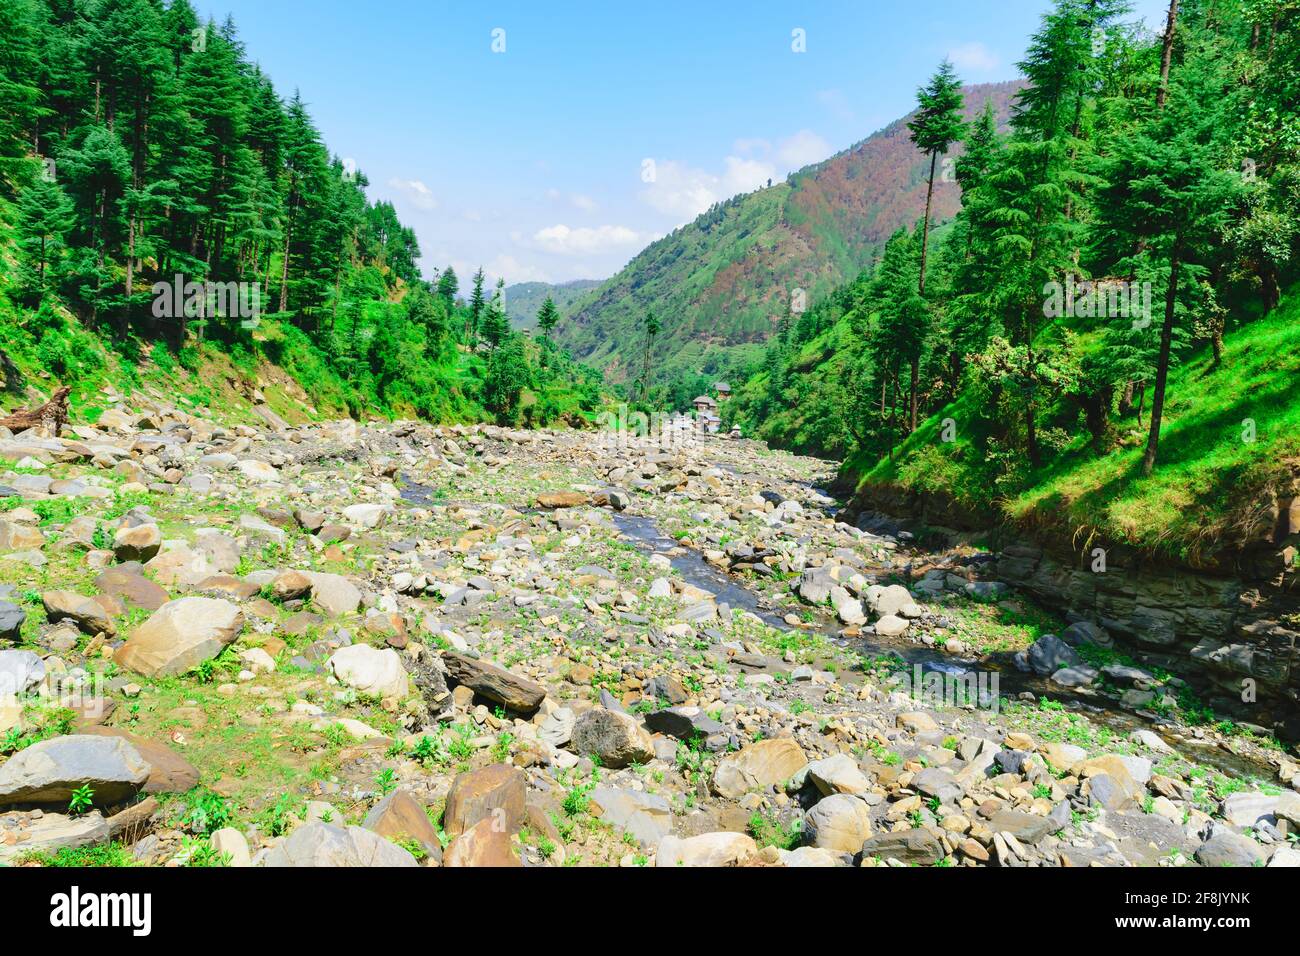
<point>1211,488</point>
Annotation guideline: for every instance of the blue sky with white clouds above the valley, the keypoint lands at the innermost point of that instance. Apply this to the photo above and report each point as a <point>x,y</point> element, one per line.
<point>532,161</point>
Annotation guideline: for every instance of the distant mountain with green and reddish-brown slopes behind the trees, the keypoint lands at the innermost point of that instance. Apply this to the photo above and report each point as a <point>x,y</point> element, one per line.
<point>721,284</point>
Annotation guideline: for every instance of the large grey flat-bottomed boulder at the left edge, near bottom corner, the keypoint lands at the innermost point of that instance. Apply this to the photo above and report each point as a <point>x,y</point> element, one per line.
<point>49,772</point>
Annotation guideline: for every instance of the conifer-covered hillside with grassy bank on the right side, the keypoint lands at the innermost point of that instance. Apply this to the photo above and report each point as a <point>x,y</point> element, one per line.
<point>1100,341</point>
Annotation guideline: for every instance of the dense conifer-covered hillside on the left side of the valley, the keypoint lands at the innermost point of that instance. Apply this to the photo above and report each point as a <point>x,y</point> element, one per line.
<point>146,162</point>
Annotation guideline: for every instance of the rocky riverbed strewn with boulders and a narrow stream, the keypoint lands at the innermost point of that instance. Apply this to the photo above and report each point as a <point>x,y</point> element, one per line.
<point>397,644</point>
